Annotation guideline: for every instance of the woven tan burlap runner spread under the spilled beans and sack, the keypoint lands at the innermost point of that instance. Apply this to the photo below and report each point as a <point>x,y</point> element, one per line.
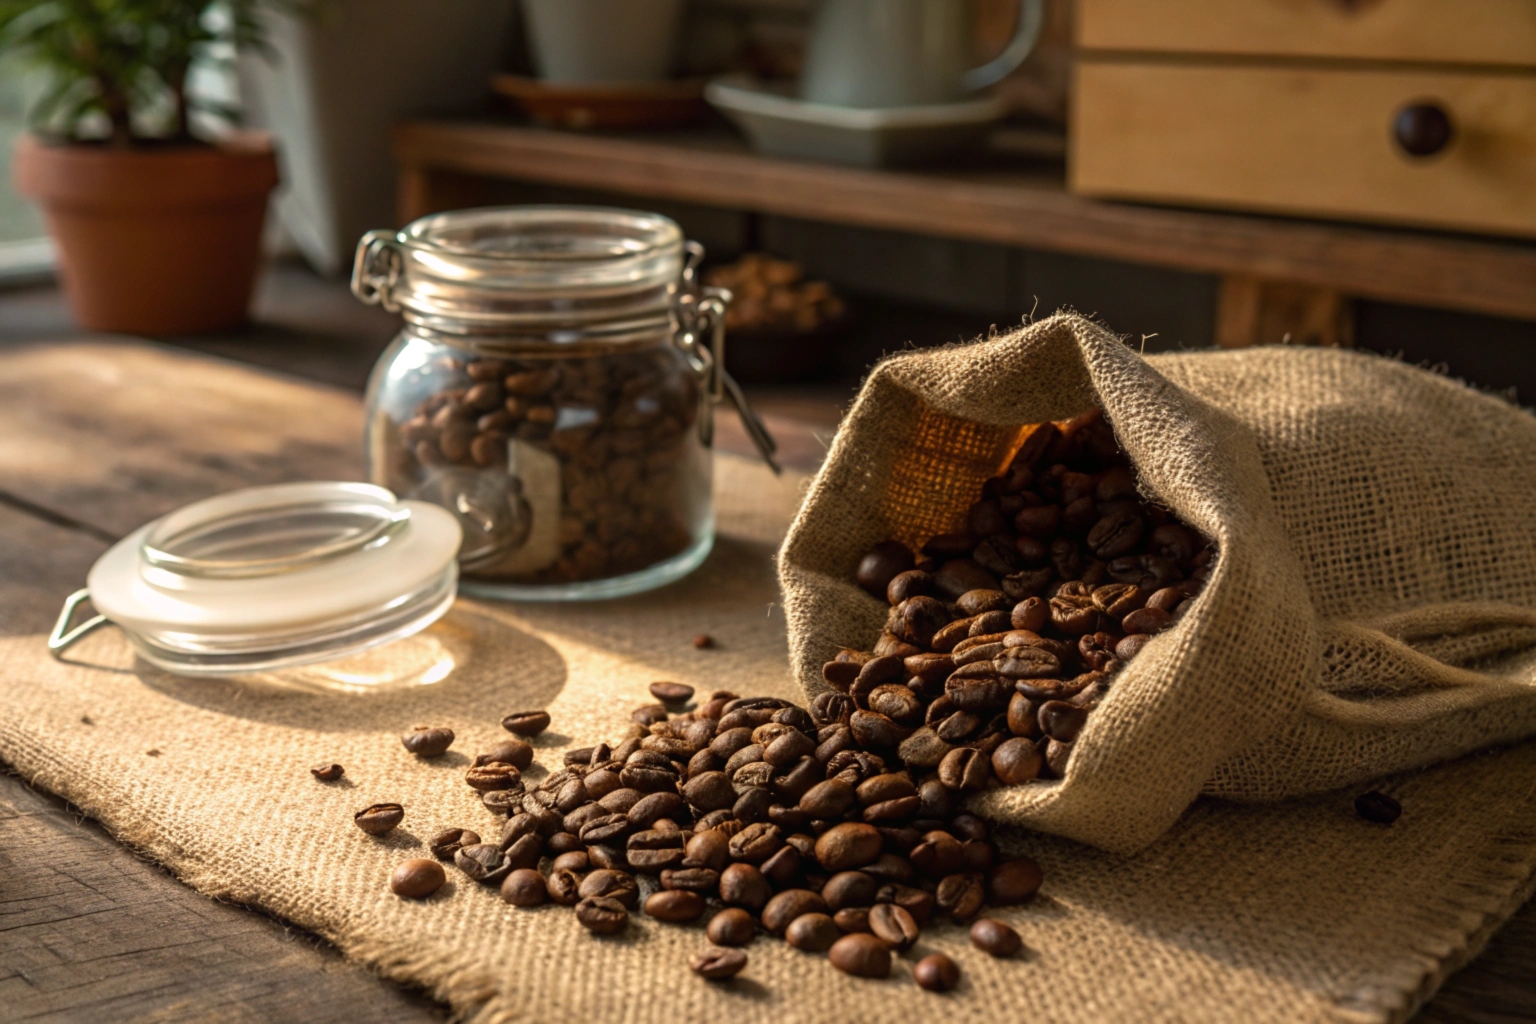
<point>1285,913</point>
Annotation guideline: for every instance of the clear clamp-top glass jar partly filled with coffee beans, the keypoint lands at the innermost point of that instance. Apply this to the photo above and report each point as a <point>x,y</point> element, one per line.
<point>554,388</point>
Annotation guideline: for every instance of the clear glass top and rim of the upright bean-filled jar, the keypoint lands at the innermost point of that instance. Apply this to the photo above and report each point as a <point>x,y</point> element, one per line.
<point>528,271</point>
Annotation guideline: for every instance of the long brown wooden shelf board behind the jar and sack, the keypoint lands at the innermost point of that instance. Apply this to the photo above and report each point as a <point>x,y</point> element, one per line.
<point>1010,202</point>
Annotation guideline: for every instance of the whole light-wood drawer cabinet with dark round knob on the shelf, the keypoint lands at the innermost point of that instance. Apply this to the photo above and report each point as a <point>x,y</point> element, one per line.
<point>1293,107</point>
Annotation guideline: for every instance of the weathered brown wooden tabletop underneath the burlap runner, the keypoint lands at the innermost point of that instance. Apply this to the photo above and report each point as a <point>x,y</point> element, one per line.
<point>101,438</point>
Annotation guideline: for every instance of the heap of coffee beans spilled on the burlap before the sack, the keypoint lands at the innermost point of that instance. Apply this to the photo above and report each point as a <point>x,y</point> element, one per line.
<point>750,813</point>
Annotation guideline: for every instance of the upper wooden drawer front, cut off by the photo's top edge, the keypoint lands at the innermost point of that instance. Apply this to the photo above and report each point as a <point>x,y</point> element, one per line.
<point>1432,31</point>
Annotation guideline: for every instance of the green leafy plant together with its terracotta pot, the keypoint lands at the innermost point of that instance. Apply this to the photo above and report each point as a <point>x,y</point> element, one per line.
<point>157,226</point>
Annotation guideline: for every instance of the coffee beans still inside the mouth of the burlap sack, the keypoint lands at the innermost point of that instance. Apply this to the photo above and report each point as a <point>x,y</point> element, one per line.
<point>1007,635</point>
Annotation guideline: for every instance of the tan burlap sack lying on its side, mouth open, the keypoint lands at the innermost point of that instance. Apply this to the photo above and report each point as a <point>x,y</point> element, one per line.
<point>1375,589</point>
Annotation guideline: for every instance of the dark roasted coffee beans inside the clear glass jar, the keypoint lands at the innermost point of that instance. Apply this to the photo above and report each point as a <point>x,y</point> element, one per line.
<point>618,429</point>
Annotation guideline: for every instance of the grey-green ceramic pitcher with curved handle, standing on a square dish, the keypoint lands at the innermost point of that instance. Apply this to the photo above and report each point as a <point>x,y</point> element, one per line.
<point>905,53</point>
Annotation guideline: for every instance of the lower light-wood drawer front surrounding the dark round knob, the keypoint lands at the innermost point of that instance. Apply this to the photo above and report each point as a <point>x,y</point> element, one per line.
<point>1308,140</point>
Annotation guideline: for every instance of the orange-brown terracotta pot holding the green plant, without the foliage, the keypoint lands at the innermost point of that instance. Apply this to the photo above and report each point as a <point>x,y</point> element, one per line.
<point>154,242</point>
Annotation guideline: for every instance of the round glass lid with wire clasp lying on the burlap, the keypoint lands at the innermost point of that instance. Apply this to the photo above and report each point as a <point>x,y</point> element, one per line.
<point>274,576</point>
